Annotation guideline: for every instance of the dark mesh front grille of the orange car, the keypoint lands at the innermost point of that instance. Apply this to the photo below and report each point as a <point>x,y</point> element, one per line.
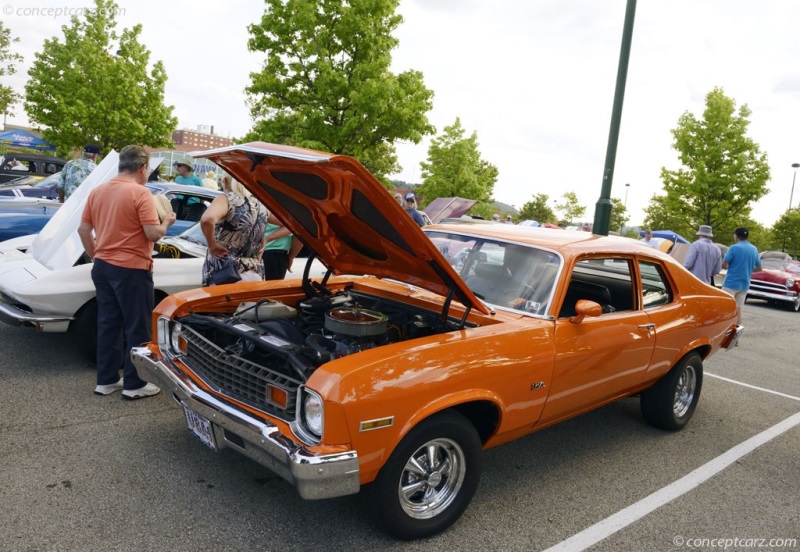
<point>237,378</point>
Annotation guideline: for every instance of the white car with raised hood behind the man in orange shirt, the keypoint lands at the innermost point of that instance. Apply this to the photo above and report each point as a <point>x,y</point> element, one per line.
<point>45,279</point>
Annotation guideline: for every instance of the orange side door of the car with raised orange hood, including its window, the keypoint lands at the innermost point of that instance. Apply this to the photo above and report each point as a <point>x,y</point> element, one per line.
<point>599,358</point>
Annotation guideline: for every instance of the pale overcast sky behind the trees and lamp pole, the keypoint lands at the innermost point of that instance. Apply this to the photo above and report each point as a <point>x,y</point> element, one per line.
<point>534,78</point>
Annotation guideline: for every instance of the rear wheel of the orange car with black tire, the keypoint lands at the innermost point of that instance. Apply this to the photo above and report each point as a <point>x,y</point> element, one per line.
<point>670,403</point>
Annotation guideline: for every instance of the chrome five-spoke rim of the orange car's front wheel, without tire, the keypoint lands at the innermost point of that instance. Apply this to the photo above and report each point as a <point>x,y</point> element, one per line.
<point>432,478</point>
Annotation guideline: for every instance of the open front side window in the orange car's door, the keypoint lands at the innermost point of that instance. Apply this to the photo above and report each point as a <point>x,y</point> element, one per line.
<point>606,281</point>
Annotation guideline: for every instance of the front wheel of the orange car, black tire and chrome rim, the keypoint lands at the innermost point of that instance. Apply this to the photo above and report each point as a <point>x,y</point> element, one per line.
<point>430,478</point>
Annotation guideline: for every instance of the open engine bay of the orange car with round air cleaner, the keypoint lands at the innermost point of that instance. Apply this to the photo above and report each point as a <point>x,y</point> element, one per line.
<point>295,340</point>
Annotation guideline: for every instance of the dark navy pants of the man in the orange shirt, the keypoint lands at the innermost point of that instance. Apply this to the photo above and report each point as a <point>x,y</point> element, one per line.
<point>124,314</point>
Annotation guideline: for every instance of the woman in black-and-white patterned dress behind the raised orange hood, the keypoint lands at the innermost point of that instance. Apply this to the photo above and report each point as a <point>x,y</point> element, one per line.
<point>234,228</point>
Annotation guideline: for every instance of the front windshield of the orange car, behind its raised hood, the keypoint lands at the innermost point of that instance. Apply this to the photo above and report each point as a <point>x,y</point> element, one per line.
<point>502,274</point>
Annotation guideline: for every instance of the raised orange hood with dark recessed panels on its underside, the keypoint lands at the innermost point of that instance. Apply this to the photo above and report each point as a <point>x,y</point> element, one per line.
<point>343,214</point>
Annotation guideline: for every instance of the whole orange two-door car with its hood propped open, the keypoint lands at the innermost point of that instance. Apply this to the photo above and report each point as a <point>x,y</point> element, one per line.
<point>437,344</point>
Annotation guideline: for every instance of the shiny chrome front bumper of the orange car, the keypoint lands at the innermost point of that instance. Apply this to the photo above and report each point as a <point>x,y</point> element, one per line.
<point>314,476</point>
